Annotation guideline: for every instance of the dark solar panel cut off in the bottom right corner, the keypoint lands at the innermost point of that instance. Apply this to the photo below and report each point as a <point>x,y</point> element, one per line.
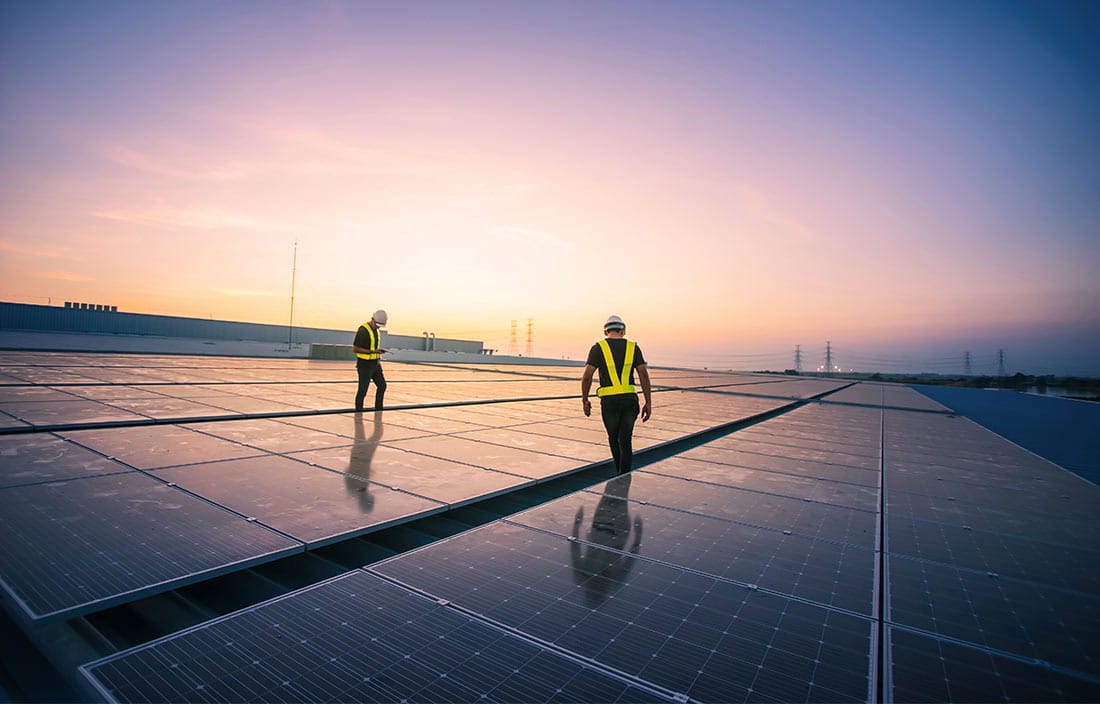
<point>931,670</point>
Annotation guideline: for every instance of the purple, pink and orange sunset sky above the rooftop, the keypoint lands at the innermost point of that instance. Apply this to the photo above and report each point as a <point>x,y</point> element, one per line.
<point>909,181</point>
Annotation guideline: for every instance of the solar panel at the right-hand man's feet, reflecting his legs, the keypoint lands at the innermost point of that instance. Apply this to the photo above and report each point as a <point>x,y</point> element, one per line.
<point>827,573</point>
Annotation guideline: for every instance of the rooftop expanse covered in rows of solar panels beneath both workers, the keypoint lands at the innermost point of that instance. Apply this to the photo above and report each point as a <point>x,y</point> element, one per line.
<point>201,529</point>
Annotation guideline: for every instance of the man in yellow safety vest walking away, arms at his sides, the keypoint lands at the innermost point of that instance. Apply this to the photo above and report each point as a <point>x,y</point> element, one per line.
<point>618,359</point>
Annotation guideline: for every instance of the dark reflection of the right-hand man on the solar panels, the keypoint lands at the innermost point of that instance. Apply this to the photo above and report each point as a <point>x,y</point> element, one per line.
<point>602,571</point>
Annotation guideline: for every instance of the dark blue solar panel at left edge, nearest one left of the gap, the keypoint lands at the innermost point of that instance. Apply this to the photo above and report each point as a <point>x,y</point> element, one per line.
<point>69,548</point>
